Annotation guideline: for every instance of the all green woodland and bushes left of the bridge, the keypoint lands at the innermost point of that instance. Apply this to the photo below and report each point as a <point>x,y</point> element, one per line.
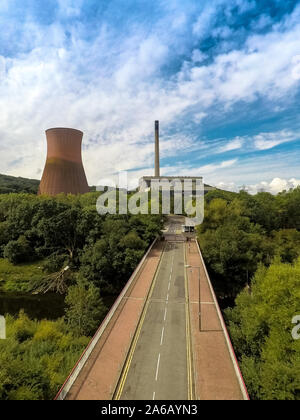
<point>61,245</point>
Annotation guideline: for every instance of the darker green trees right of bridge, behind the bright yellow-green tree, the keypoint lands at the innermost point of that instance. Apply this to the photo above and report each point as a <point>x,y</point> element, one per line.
<point>241,231</point>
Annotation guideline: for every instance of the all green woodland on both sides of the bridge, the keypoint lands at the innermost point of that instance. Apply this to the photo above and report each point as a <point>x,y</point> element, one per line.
<point>251,245</point>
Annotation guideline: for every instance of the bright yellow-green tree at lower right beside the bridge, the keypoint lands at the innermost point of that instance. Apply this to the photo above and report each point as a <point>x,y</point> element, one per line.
<point>261,329</point>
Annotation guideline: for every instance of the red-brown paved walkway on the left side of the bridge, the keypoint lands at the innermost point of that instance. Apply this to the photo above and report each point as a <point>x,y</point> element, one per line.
<point>99,376</point>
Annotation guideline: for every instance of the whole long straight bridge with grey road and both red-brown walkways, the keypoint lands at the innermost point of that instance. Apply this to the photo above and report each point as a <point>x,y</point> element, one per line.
<point>164,339</point>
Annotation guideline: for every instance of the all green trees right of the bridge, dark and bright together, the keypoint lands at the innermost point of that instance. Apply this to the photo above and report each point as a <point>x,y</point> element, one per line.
<point>251,245</point>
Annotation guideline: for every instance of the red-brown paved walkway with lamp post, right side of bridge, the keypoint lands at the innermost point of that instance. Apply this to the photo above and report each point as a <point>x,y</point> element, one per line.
<point>215,369</point>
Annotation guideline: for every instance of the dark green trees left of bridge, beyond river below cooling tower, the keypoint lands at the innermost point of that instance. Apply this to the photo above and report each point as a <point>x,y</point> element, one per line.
<point>66,233</point>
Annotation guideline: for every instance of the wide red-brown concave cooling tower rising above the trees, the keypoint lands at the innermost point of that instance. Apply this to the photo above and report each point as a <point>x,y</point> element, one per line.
<point>64,172</point>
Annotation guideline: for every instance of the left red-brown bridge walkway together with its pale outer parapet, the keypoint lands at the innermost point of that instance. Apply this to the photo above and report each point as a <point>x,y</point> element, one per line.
<point>109,346</point>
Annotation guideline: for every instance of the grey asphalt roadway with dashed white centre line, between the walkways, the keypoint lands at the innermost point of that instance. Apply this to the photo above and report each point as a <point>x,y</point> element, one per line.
<point>160,361</point>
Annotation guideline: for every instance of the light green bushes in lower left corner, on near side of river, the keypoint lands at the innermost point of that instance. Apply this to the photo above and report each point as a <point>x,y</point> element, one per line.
<point>36,358</point>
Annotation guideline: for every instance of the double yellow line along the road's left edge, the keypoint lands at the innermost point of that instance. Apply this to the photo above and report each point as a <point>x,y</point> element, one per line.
<point>137,334</point>
